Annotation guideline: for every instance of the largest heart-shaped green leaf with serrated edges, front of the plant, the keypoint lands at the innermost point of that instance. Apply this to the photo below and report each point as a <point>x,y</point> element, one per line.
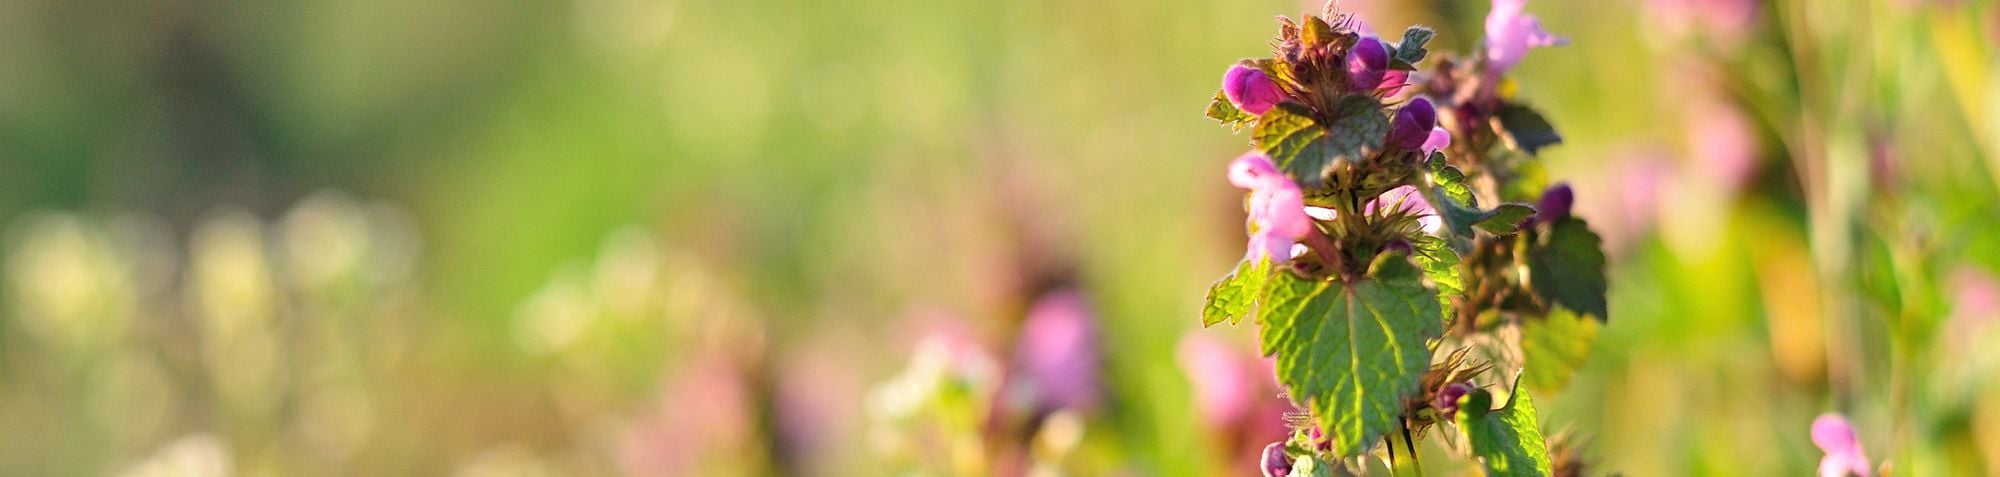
<point>1353,352</point>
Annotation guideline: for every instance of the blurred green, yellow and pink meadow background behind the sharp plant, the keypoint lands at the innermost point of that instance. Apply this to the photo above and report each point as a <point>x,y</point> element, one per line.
<point>697,237</point>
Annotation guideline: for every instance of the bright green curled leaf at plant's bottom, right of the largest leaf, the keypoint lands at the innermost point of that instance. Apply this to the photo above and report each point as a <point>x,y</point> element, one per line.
<point>1509,440</point>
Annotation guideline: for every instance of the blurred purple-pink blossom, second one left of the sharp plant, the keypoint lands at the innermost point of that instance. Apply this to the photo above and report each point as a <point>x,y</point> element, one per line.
<point>1057,354</point>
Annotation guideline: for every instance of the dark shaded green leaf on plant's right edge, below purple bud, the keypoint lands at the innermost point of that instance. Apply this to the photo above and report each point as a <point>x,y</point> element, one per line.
<point>1567,268</point>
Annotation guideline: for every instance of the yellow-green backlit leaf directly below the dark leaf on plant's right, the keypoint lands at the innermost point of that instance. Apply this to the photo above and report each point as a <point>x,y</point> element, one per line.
<point>1555,348</point>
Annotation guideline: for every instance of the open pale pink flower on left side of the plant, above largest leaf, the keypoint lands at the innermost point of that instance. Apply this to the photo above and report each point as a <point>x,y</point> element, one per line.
<point>1277,207</point>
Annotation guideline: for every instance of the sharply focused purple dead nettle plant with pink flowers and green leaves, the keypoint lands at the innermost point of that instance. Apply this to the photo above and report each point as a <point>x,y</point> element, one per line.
<point>1407,268</point>
